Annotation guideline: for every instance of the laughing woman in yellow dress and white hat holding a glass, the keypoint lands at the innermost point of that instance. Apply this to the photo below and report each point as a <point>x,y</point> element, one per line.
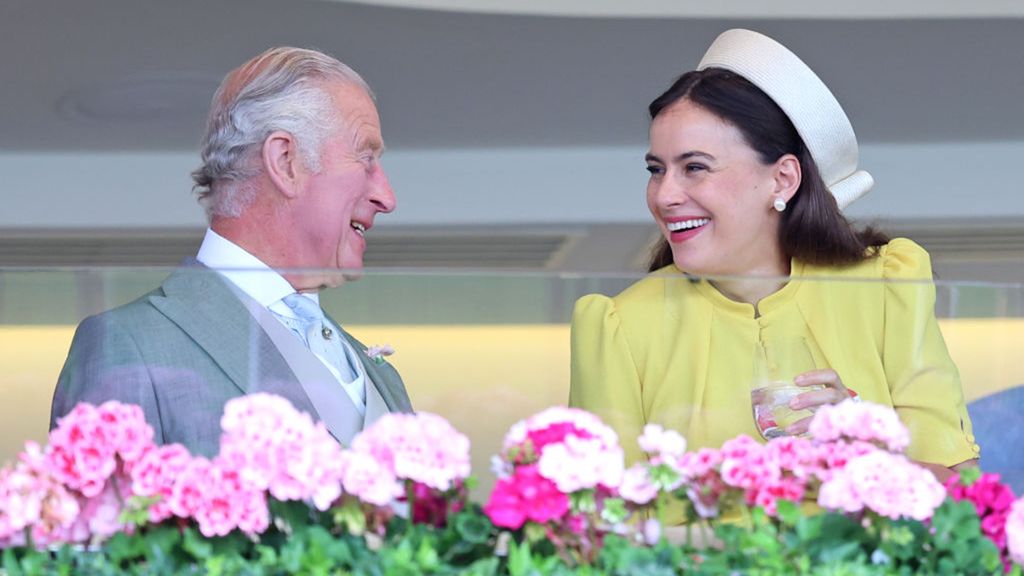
<point>751,160</point>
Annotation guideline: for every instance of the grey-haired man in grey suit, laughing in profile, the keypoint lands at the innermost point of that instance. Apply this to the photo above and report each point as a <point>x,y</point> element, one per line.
<point>291,181</point>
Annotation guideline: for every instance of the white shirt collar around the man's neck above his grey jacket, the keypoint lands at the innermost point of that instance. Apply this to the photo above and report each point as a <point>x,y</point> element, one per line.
<point>245,271</point>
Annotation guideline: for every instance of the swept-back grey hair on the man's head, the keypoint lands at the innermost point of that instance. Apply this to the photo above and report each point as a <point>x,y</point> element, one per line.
<point>282,90</point>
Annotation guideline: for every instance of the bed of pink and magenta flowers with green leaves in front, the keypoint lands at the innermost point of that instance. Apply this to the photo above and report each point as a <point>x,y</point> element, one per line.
<point>283,498</point>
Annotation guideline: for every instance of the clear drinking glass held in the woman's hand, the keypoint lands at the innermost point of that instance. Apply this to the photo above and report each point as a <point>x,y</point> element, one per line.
<point>776,365</point>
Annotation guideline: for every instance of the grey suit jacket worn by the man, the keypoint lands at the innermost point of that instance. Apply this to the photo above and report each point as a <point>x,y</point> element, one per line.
<point>183,351</point>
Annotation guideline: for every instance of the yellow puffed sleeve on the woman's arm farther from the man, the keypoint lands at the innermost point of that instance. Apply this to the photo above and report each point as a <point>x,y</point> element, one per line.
<point>924,382</point>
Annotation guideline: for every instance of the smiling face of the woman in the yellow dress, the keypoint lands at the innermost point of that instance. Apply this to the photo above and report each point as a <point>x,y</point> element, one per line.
<point>712,196</point>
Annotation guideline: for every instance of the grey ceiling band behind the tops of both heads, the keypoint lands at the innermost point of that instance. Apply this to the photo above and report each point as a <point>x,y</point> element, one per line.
<point>130,75</point>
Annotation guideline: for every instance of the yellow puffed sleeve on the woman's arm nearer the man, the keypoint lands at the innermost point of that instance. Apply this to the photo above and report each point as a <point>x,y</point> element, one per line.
<point>605,377</point>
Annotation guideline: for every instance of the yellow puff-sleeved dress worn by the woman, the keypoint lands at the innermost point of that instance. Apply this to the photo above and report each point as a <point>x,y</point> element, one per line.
<point>675,352</point>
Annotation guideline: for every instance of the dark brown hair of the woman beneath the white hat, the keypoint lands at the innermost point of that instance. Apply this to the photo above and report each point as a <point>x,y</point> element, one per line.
<point>813,230</point>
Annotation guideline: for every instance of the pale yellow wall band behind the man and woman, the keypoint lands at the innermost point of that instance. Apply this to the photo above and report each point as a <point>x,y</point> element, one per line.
<point>483,379</point>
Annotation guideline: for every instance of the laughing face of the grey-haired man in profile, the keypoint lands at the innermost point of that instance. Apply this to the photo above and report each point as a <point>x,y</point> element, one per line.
<point>337,205</point>
